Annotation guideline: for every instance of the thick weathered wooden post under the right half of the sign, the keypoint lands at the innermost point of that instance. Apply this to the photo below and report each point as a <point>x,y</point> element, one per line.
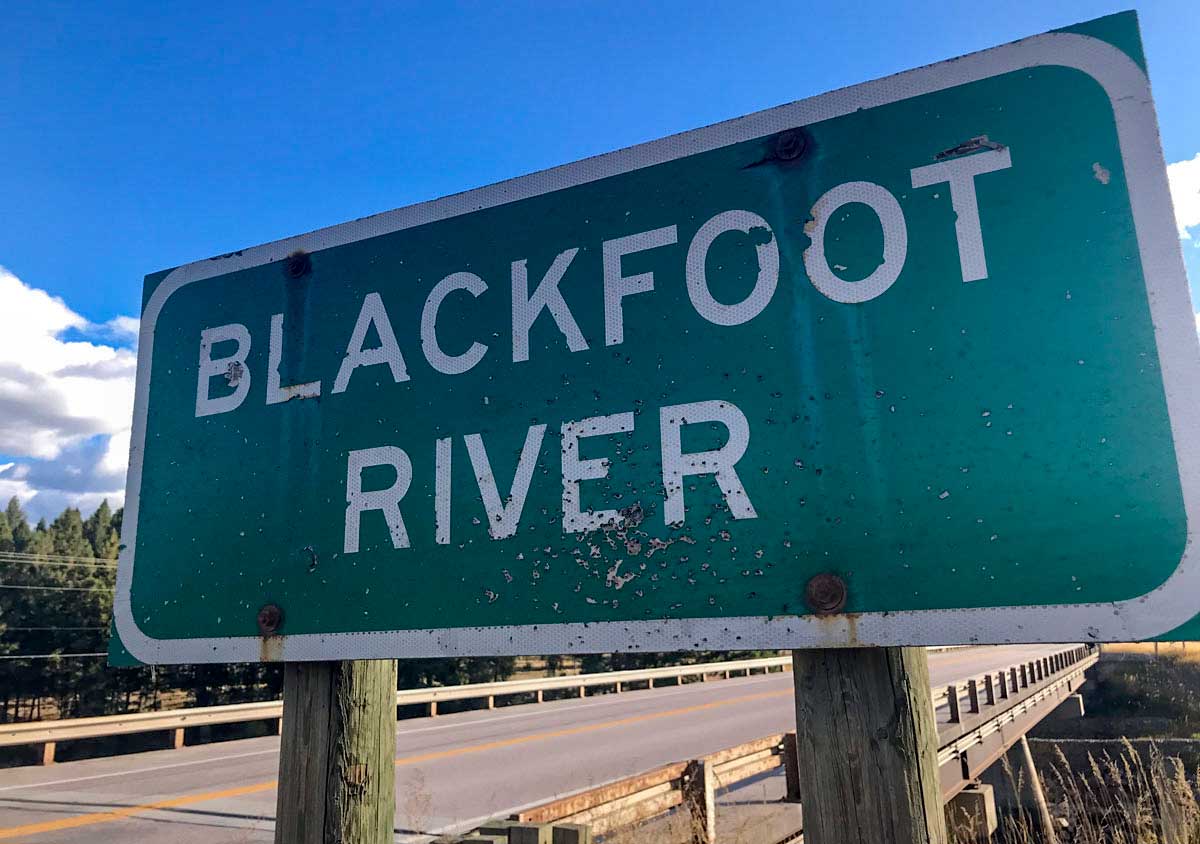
<point>867,745</point>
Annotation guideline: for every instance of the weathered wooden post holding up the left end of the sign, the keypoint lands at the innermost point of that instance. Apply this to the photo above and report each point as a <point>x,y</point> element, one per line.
<point>338,770</point>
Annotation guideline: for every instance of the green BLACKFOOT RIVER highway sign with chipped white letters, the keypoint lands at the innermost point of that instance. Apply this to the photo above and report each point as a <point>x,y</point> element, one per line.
<point>910,363</point>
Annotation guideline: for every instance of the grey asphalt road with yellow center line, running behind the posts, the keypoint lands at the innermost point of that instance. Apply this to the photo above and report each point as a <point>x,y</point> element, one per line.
<point>451,771</point>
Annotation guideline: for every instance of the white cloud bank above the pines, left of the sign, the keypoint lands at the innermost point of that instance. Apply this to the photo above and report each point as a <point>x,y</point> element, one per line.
<point>65,405</point>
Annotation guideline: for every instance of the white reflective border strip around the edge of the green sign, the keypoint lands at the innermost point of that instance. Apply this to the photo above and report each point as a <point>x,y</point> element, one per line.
<point>1162,610</point>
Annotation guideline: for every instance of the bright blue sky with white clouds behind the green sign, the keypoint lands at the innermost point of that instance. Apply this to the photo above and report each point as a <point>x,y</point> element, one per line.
<point>142,136</point>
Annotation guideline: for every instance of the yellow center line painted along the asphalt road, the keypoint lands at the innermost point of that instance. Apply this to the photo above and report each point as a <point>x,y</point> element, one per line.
<point>188,800</point>
